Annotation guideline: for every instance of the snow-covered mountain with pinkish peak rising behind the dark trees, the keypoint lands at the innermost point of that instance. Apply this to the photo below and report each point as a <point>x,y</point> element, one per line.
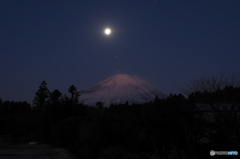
<point>119,89</point>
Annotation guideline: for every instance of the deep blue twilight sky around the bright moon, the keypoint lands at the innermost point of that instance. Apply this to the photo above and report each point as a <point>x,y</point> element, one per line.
<point>166,43</point>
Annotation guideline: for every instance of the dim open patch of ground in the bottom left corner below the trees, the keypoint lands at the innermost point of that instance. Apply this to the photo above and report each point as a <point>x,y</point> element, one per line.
<point>41,151</point>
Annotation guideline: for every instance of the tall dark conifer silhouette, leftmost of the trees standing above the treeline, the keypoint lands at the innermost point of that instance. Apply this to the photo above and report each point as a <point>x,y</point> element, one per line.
<point>41,96</point>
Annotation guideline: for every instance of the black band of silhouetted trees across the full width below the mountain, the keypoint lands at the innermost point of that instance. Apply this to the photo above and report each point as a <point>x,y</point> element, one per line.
<point>176,126</point>
